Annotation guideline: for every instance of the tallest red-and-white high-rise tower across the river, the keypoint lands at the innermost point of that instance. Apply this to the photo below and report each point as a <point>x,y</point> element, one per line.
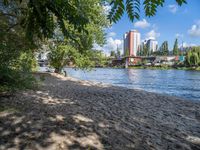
<point>131,43</point>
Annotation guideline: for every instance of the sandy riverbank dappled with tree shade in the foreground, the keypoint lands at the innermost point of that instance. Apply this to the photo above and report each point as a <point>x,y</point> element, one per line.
<point>67,113</point>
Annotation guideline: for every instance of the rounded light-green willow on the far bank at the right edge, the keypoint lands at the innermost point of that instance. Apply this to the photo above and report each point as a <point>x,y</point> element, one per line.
<point>193,57</point>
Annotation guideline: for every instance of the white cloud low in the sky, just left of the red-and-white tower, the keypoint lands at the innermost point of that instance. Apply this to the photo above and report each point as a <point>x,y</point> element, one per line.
<point>111,45</point>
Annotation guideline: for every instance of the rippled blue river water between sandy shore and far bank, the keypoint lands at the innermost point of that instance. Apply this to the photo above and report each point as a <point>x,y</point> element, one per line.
<point>179,83</point>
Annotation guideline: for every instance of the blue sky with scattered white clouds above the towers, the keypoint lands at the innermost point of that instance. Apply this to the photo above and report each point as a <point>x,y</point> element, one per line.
<point>171,21</point>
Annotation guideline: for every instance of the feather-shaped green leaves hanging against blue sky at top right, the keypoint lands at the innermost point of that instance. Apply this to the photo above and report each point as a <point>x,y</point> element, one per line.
<point>132,8</point>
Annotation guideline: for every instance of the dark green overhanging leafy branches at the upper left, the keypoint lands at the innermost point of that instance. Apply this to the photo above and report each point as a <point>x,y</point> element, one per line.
<point>40,17</point>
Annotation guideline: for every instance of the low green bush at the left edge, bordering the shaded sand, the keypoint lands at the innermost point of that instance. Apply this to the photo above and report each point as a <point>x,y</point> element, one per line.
<point>17,75</point>
